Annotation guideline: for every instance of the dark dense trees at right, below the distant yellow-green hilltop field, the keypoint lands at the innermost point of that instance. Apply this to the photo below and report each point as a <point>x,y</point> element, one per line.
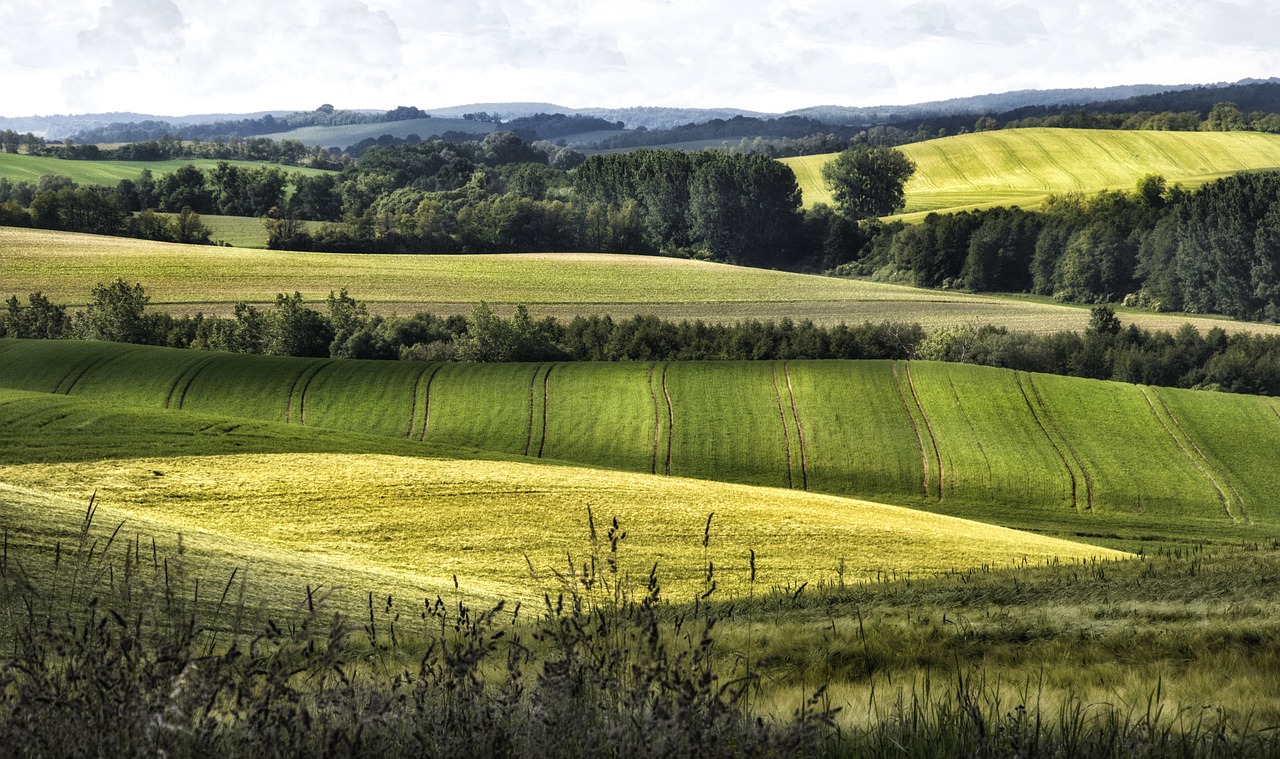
<point>1212,252</point>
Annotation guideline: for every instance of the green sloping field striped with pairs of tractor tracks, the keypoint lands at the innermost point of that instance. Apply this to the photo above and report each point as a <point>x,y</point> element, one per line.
<point>1059,455</point>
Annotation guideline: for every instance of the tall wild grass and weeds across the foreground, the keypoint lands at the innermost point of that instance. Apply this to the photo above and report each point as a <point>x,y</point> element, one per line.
<point>115,647</point>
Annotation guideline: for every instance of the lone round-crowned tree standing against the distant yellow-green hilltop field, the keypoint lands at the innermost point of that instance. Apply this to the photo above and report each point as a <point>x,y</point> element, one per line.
<point>868,181</point>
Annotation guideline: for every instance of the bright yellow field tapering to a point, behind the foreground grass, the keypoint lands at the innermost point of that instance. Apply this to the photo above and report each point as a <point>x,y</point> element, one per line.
<point>419,524</point>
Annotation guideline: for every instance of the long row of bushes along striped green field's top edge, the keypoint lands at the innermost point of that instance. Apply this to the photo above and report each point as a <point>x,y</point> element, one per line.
<point>344,328</point>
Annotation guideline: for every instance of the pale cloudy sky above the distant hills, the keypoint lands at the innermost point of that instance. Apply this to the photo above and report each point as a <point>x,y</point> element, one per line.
<point>204,57</point>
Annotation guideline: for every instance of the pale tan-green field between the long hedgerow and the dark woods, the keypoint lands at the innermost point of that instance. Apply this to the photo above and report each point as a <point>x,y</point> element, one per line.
<point>186,280</point>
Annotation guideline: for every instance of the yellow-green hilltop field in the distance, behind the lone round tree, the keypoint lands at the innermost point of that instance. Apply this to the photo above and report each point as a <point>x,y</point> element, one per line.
<point>1023,167</point>
